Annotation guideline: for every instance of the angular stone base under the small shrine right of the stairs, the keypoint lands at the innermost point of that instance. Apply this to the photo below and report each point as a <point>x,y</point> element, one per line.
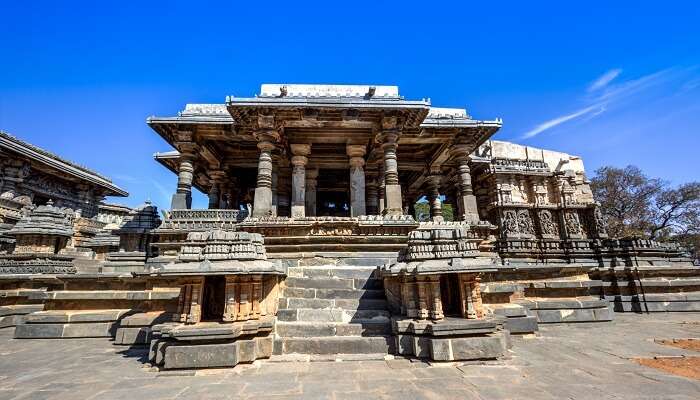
<point>452,339</point>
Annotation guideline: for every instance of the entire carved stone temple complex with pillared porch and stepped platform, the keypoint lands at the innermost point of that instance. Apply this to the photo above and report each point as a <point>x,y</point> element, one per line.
<point>313,246</point>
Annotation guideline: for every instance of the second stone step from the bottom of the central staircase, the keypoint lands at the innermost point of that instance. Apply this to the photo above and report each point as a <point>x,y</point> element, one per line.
<point>319,329</point>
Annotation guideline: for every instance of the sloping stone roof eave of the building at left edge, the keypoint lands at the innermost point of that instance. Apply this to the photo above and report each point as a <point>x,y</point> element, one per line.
<point>42,156</point>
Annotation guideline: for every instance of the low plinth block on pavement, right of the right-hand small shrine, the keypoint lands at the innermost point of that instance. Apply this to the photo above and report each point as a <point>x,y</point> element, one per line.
<point>582,309</point>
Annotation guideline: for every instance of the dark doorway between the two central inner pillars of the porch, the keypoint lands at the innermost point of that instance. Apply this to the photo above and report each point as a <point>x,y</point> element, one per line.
<point>333,193</point>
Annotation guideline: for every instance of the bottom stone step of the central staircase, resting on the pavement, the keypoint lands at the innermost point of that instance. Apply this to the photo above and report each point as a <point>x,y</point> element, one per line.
<point>335,345</point>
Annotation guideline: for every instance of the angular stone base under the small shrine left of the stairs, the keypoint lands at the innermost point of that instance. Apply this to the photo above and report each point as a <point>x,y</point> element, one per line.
<point>210,344</point>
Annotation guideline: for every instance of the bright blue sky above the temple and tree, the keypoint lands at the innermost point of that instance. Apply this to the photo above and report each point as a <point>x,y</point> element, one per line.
<point>617,84</point>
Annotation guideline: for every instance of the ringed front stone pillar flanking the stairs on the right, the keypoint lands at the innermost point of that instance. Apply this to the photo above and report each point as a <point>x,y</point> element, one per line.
<point>392,189</point>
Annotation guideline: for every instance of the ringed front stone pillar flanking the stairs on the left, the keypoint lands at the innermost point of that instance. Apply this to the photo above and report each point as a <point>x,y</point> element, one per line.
<point>262,202</point>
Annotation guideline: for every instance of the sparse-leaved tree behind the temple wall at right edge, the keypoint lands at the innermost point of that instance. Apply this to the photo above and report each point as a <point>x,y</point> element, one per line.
<point>636,205</point>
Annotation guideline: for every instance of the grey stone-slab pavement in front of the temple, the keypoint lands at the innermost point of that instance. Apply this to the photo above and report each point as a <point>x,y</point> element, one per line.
<point>583,361</point>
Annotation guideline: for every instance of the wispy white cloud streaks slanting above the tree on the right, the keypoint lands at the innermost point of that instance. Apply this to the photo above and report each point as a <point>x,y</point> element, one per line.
<point>603,93</point>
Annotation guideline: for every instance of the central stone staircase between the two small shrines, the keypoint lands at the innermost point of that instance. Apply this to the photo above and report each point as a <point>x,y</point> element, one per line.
<point>329,312</point>
